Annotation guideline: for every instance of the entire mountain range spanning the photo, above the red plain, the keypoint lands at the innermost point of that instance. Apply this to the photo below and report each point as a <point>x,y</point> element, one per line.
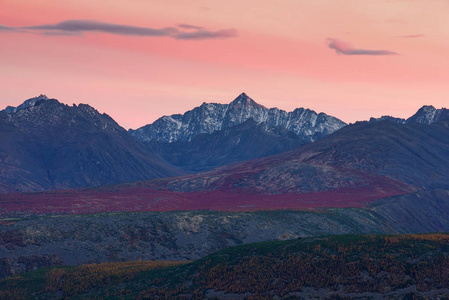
<point>48,145</point>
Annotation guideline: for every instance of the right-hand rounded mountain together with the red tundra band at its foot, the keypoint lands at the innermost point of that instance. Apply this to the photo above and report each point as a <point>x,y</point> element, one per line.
<point>352,167</point>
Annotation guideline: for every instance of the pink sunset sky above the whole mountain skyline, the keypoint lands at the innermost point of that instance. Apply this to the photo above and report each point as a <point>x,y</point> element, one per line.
<point>352,59</point>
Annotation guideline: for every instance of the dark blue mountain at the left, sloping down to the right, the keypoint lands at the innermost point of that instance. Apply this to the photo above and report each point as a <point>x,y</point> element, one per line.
<point>48,145</point>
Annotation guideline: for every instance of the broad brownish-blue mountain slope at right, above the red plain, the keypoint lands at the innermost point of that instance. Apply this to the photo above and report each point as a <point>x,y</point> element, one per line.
<point>363,154</point>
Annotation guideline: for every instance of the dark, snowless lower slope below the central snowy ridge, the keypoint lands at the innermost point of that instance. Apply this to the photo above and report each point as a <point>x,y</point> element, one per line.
<point>237,143</point>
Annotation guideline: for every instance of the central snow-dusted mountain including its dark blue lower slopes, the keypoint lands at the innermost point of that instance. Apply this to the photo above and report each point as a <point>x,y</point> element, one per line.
<point>214,134</point>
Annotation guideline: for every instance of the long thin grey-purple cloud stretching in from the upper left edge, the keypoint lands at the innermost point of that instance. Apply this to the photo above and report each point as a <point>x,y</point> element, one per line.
<point>79,27</point>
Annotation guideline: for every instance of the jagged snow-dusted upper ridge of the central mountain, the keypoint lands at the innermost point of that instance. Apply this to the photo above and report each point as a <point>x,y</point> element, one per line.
<point>210,117</point>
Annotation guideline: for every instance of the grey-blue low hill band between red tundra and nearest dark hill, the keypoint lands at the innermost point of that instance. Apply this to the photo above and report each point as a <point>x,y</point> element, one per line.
<point>34,242</point>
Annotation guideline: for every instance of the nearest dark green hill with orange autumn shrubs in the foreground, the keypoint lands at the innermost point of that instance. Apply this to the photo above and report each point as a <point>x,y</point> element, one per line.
<point>351,266</point>
